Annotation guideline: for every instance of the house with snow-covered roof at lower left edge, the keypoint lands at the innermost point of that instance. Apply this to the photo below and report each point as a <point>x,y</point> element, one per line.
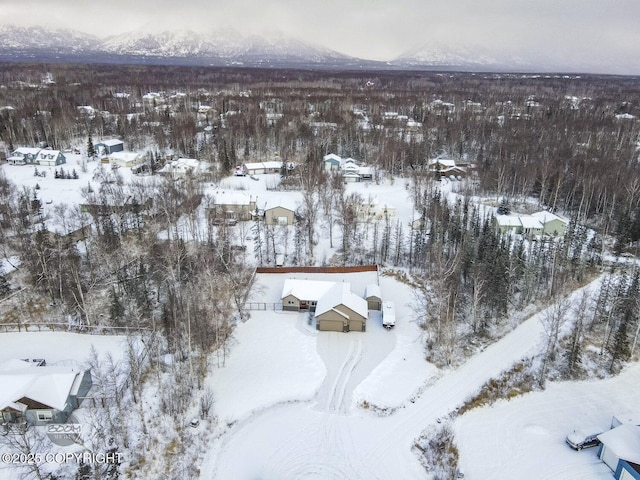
<point>38,394</point>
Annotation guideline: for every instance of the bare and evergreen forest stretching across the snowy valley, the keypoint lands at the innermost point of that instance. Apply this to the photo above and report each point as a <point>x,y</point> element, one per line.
<point>142,260</point>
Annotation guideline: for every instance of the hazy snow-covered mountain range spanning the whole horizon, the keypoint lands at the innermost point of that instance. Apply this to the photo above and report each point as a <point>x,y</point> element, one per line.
<point>231,48</point>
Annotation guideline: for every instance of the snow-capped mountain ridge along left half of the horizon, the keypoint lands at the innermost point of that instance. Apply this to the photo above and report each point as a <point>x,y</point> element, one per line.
<point>183,47</point>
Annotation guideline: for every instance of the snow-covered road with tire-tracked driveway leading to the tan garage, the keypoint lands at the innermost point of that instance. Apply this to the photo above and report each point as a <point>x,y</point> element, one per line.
<point>328,440</point>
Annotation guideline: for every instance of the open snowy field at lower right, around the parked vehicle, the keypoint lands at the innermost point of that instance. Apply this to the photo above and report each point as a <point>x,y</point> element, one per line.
<point>524,438</point>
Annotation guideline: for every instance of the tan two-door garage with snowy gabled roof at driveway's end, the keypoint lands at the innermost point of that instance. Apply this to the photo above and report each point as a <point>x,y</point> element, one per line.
<point>341,310</point>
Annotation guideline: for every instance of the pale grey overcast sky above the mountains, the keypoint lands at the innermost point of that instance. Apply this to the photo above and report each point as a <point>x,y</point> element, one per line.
<point>374,29</point>
